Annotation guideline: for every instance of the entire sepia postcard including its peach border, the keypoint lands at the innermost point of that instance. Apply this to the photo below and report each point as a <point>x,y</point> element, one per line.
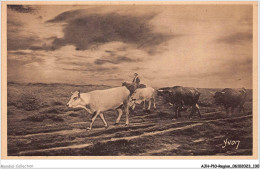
<point>149,80</point>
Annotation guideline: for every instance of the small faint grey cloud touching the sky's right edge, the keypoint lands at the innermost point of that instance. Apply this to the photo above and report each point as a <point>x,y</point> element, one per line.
<point>236,38</point>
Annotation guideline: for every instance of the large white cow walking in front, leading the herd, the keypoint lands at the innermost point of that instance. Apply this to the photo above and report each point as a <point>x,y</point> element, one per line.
<point>98,101</point>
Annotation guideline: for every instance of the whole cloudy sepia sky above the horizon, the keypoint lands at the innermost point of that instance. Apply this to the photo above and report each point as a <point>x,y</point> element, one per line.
<point>188,45</point>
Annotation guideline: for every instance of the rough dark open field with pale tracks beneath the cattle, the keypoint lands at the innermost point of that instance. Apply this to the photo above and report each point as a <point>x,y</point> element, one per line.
<point>39,124</point>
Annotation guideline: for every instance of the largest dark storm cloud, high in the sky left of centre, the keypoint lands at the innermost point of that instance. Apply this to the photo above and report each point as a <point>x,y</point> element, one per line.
<point>86,30</point>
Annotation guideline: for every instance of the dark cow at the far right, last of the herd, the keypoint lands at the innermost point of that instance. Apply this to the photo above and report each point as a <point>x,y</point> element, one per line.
<point>231,98</point>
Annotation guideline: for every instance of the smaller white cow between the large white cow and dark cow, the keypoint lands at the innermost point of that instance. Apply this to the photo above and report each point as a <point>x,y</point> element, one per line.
<point>142,95</point>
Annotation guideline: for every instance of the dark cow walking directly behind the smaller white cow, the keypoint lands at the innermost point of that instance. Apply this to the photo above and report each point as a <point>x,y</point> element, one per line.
<point>179,96</point>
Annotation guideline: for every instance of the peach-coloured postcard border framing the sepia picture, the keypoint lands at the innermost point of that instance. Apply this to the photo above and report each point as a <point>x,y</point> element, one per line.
<point>4,76</point>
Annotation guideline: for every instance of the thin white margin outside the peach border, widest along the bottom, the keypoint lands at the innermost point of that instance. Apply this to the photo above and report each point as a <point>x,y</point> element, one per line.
<point>125,163</point>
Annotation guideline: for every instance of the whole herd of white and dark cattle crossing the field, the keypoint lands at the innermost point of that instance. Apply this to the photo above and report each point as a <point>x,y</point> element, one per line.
<point>126,97</point>
